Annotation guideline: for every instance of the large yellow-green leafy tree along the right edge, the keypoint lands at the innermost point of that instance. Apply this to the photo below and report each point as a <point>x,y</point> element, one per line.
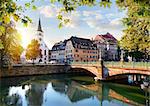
<point>136,38</point>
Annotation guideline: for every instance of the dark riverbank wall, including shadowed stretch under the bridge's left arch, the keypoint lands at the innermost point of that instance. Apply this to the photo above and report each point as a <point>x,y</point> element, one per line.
<point>42,69</point>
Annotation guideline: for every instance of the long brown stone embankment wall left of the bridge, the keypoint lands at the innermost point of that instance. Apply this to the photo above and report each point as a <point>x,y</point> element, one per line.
<point>34,70</point>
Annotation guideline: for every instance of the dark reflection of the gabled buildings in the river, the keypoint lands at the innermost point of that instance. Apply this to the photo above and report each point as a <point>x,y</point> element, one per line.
<point>72,90</point>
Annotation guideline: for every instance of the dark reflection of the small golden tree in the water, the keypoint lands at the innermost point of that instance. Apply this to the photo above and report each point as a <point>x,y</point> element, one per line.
<point>35,94</point>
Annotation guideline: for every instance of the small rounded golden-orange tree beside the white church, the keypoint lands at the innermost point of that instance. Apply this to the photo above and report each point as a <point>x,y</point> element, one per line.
<point>33,50</point>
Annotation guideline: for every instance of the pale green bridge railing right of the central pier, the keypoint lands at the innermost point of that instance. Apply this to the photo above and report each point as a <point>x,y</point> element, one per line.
<point>133,65</point>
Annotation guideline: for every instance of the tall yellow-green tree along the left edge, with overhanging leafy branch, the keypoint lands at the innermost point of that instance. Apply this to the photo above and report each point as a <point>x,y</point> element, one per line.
<point>9,39</point>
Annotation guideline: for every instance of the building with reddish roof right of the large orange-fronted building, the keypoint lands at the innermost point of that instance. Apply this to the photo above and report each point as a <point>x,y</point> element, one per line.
<point>107,46</point>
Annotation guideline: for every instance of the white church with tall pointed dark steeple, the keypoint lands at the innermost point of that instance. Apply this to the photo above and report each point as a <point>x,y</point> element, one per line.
<point>44,49</point>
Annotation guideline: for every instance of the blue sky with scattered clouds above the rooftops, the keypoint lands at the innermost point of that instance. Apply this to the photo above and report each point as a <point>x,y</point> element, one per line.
<point>86,22</point>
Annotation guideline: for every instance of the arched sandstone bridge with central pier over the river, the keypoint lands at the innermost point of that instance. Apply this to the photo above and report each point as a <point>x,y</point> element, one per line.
<point>103,71</point>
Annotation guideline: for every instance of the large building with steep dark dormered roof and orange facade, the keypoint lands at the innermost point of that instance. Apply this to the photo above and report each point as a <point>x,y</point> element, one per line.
<point>80,50</point>
